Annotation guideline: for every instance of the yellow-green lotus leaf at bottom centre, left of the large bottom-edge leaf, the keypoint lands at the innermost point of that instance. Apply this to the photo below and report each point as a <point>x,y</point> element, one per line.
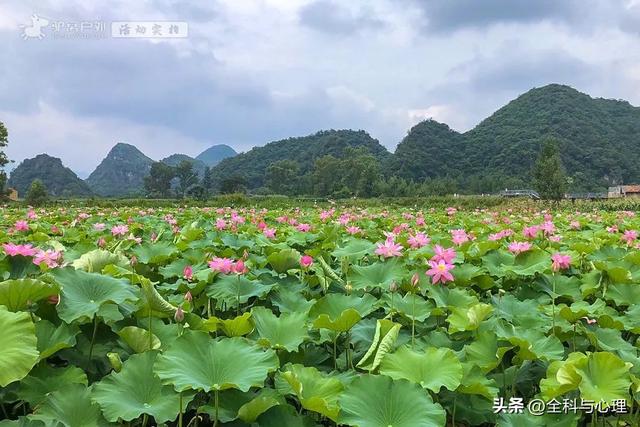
<point>316,392</point>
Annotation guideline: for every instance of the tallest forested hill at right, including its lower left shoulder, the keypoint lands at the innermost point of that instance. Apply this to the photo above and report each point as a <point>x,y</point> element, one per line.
<point>599,142</point>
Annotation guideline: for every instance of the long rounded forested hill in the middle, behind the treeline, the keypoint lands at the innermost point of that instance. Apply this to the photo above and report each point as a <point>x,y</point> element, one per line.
<point>301,151</point>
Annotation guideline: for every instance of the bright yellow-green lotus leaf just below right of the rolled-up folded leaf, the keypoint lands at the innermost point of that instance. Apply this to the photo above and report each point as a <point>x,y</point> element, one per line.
<point>431,369</point>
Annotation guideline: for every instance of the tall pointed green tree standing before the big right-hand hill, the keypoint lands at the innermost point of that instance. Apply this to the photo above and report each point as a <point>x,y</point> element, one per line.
<point>549,178</point>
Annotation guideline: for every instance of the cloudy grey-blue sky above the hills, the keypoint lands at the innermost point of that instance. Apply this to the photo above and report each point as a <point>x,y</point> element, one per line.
<point>253,71</point>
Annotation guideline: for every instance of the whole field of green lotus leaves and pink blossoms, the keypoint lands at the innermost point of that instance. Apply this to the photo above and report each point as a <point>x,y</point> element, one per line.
<point>319,317</point>
